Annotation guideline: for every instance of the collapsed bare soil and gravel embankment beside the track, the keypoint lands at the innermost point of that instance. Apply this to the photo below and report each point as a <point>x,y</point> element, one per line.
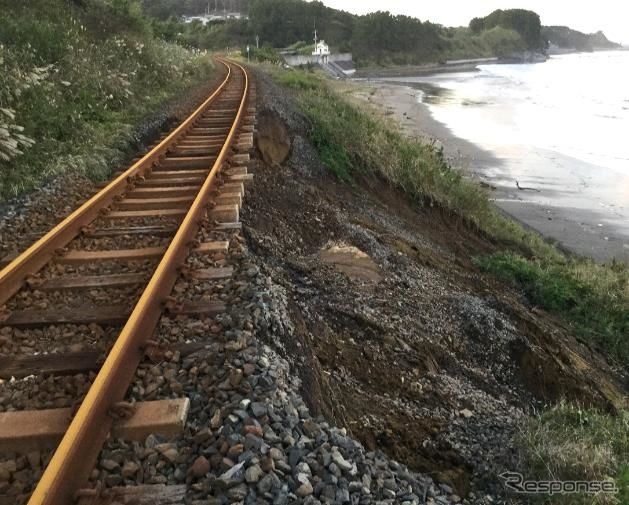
<point>402,340</point>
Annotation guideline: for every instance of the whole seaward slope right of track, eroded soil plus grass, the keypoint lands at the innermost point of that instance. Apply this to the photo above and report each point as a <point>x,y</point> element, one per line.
<point>381,261</point>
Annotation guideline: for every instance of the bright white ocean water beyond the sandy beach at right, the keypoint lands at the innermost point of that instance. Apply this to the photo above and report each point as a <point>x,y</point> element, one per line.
<point>561,127</point>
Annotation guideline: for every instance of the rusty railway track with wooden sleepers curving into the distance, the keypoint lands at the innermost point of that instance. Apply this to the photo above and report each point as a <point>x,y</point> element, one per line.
<point>103,280</point>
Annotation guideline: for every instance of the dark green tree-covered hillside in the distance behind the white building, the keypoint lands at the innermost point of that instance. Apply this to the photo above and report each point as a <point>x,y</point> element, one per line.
<point>378,38</point>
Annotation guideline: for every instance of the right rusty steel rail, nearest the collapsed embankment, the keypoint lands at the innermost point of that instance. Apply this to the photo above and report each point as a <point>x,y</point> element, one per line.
<point>72,462</point>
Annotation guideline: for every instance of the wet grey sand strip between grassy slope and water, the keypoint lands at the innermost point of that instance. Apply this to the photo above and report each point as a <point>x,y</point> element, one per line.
<point>582,231</point>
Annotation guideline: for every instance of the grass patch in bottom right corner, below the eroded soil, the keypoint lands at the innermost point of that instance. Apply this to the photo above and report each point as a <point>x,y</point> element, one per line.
<point>568,442</point>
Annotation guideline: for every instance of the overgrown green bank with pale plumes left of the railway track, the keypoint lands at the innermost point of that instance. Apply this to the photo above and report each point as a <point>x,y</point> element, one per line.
<point>74,83</point>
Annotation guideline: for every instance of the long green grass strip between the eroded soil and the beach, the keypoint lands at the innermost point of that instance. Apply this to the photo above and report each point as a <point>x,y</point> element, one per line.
<point>353,140</point>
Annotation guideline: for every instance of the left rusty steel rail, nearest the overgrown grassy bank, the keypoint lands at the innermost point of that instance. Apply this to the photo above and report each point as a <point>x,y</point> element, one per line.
<point>34,258</point>
